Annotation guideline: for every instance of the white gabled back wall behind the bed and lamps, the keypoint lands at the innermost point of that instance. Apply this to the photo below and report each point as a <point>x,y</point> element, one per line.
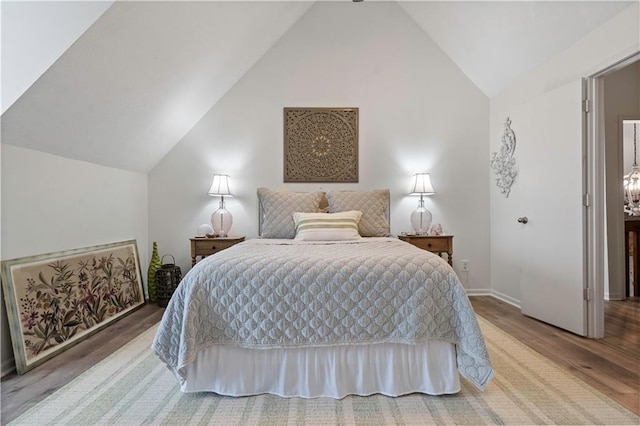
<point>418,112</point>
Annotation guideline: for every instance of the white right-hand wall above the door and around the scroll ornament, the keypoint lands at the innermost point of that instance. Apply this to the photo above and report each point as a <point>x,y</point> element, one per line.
<point>609,43</point>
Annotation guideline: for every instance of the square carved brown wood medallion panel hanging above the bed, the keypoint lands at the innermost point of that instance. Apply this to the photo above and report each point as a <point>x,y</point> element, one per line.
<point>321,145</point>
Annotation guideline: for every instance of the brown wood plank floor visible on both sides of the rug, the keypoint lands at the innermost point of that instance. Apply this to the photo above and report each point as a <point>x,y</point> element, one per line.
<point>611,365</point>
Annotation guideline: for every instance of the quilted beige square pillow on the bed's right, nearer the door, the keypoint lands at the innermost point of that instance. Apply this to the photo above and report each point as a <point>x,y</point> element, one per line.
<point>374,206</point>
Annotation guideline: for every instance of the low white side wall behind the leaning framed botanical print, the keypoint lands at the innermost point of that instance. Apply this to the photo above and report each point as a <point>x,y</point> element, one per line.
<point>50,203</point>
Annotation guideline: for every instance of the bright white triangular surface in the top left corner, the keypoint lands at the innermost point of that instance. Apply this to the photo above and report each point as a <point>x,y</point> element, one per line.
<point>44,29</point>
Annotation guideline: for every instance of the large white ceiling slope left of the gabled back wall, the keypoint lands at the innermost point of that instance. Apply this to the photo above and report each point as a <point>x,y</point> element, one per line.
<point>133,85</point>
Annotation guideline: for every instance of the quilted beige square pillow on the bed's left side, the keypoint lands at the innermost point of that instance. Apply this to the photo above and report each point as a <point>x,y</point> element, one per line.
<point>277,209</point>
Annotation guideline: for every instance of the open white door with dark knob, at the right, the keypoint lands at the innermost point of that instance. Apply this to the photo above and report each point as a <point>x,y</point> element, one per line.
<point>550,150</point>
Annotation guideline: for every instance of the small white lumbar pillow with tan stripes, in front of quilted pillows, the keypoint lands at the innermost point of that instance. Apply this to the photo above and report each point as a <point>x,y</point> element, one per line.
<point>327,226</point>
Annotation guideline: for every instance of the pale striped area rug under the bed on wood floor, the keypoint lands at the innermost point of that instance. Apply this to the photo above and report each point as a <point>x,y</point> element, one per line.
<point>133,387</point>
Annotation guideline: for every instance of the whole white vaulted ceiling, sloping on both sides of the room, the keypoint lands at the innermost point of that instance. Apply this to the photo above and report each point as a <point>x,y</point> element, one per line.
<point>129,79</point>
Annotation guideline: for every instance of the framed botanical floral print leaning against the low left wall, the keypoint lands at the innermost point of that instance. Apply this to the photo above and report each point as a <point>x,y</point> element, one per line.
<point>56,300</point>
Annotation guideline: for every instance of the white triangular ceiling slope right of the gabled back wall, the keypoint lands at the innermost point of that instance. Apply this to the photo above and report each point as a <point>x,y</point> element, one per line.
<point>497,43</point>
